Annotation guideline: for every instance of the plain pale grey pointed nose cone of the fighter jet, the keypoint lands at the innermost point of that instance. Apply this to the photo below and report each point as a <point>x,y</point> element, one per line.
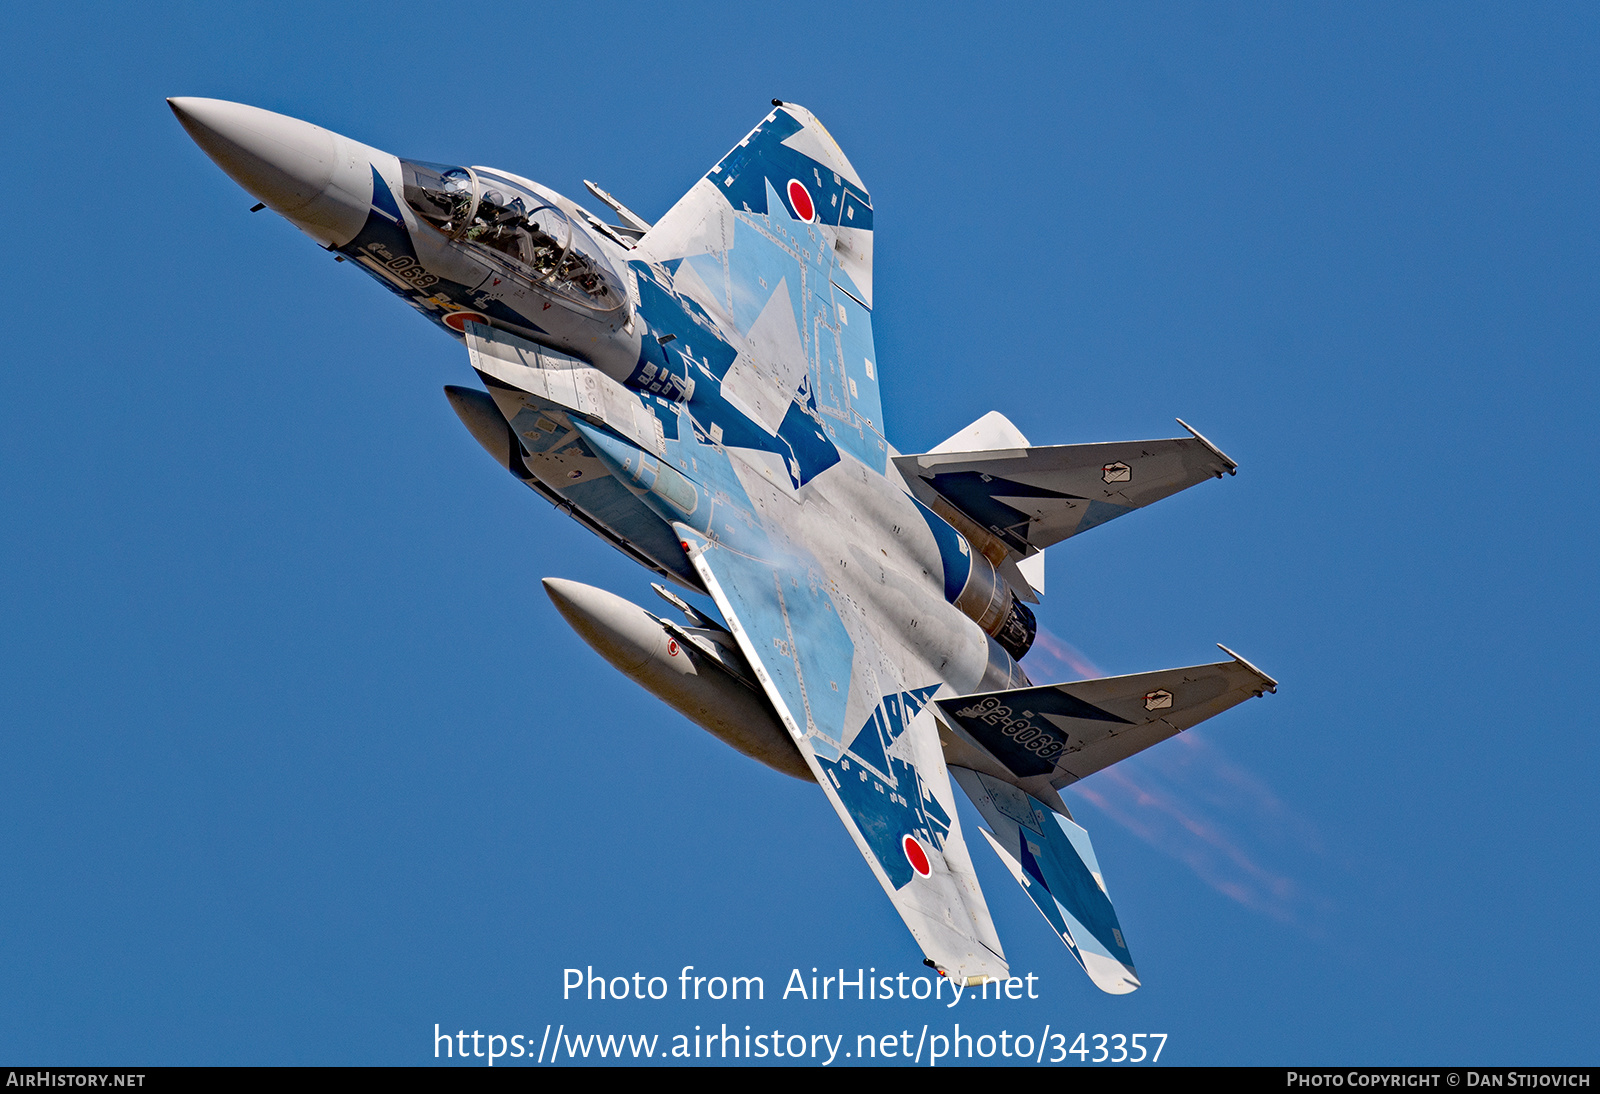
<point>313,177</point>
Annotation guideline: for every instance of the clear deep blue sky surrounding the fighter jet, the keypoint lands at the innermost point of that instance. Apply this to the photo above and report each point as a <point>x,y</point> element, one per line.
<point>298,761</point>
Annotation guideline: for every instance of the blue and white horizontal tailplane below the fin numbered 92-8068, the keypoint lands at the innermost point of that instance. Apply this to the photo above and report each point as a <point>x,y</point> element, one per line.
<point>1054,861</point>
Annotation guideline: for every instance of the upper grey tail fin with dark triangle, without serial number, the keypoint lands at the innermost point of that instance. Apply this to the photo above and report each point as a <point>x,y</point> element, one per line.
<point>1031,498</point>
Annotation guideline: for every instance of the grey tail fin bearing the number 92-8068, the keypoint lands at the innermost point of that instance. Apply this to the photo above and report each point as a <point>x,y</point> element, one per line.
<point>1062,733</point>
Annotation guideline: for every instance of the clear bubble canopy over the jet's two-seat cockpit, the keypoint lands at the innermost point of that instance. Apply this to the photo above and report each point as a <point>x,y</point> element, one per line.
<point>524,231</point>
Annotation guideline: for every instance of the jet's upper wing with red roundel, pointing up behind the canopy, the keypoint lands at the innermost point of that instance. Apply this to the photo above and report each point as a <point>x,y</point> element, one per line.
<point>774,250</point>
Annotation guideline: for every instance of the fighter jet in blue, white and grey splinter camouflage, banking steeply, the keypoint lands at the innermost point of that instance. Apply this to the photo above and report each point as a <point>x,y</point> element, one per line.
<point>703,393</point>
